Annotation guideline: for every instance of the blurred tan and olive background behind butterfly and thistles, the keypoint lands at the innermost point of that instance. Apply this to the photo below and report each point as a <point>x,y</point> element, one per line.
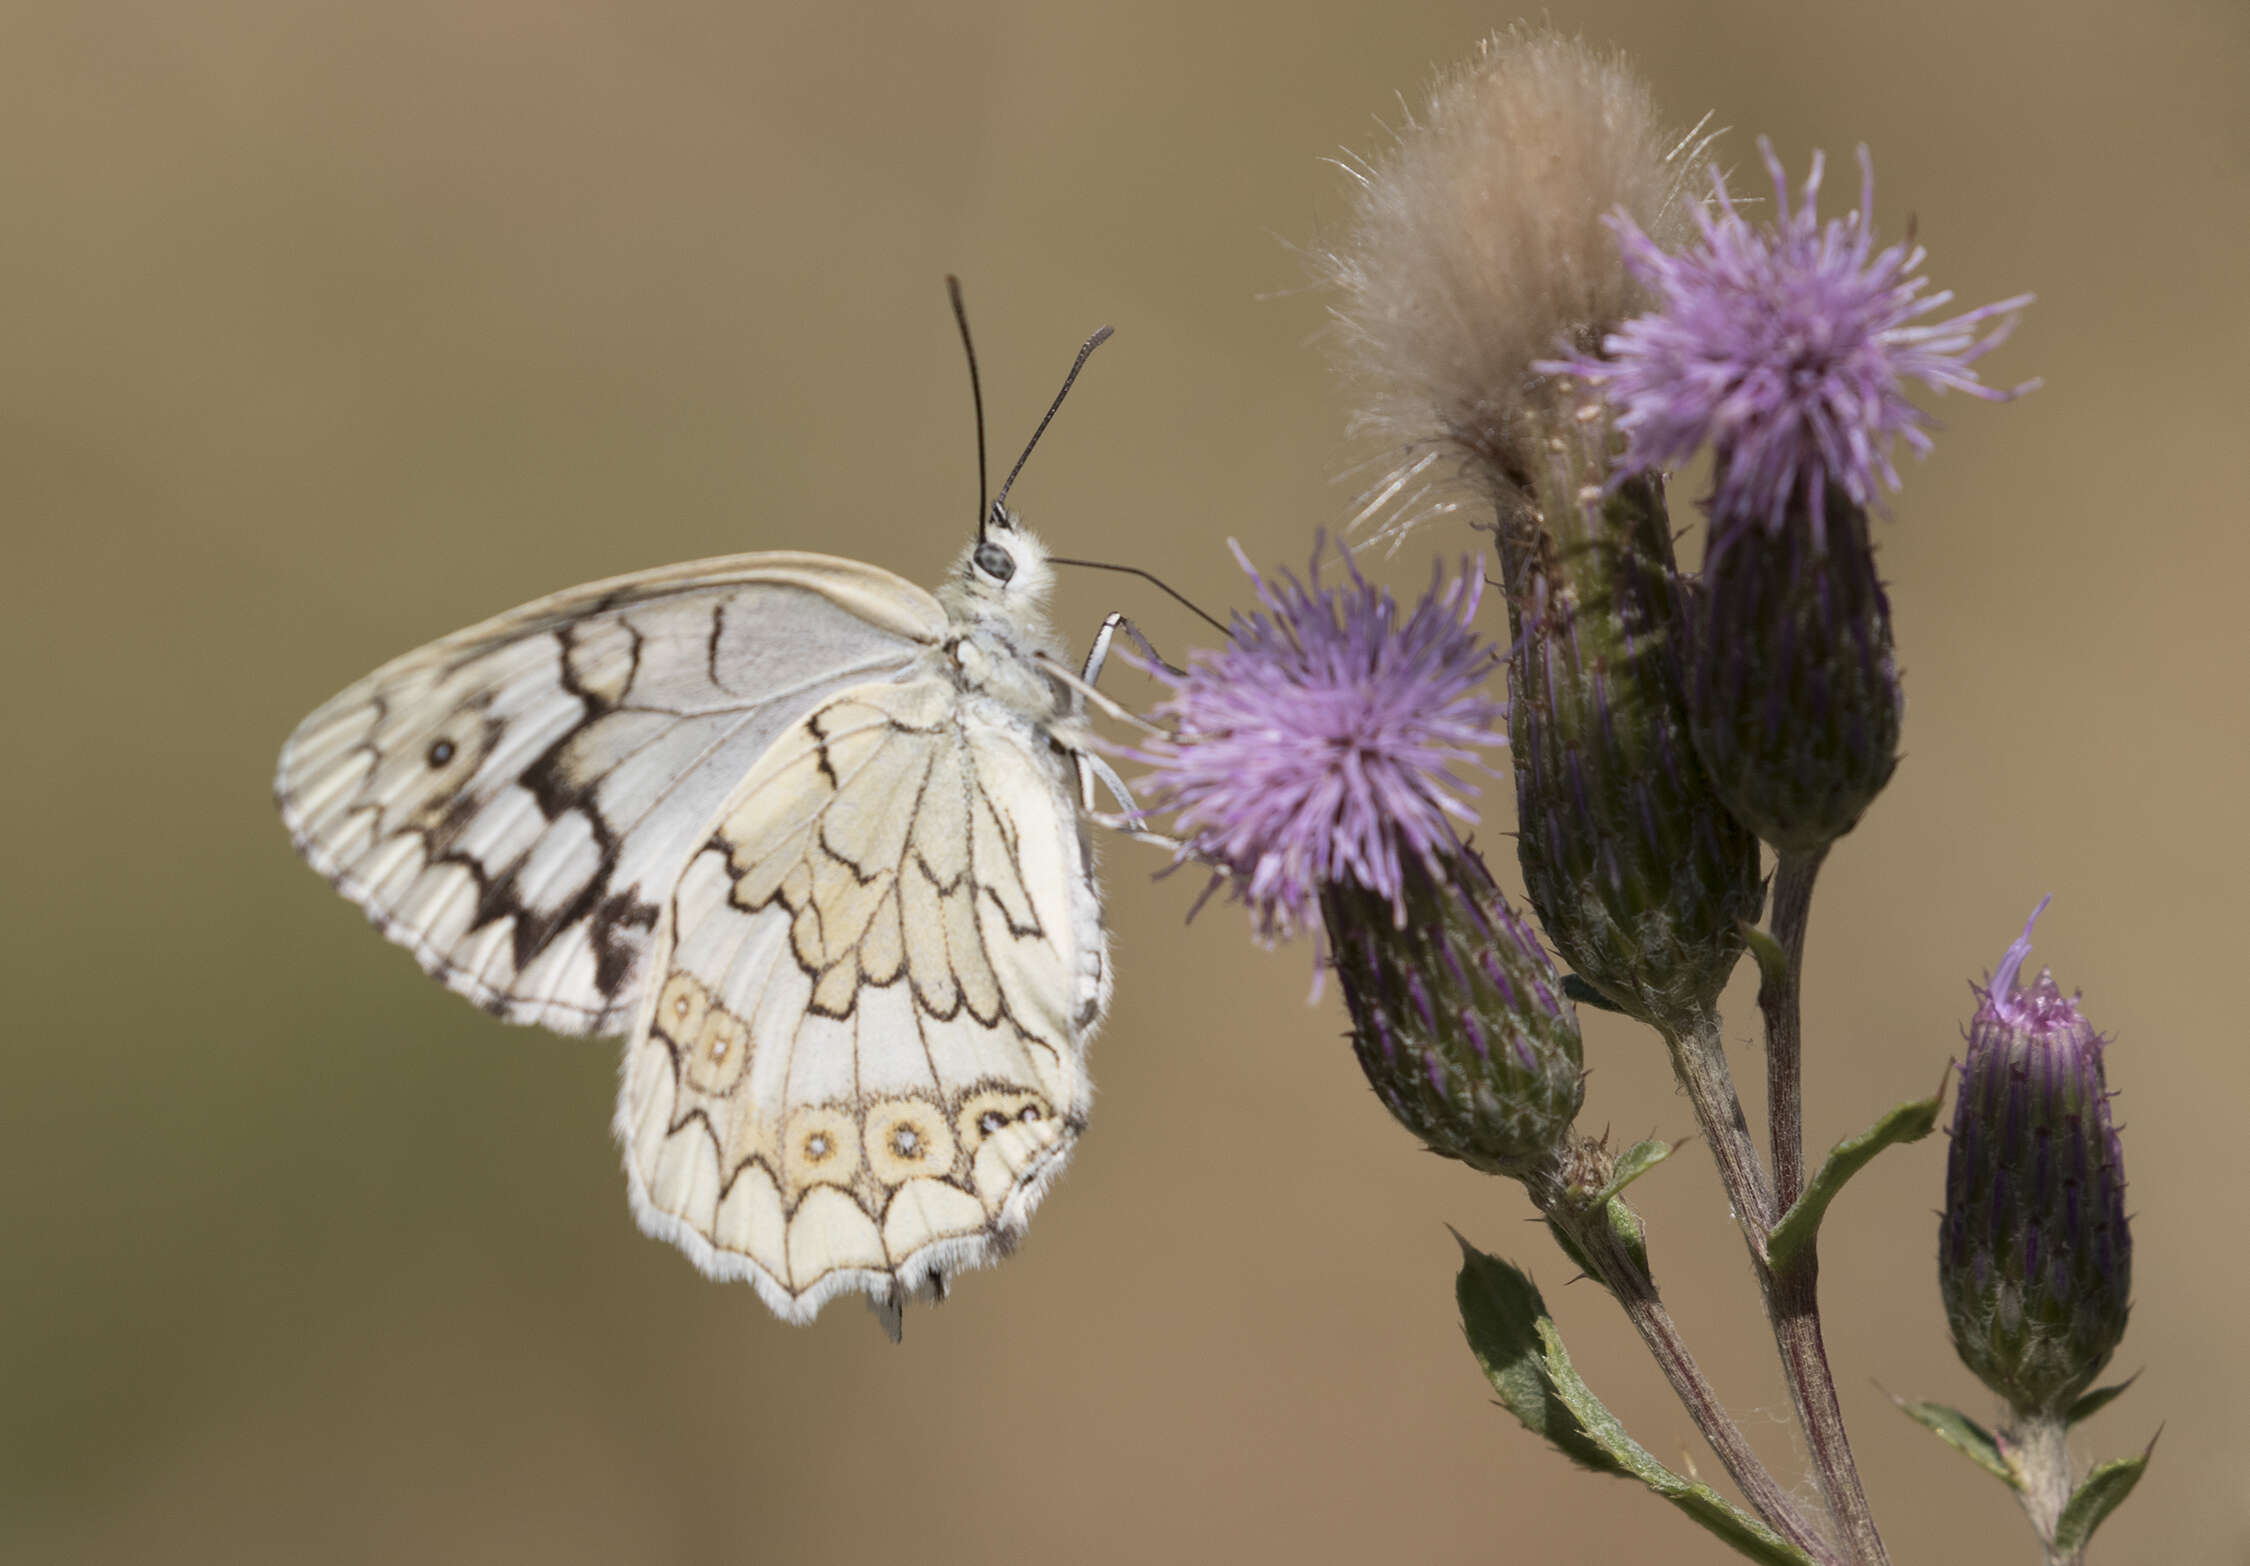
<point>336,327</point>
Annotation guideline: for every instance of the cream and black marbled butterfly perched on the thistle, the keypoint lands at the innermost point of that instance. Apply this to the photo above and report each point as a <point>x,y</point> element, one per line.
<point>811,838</point>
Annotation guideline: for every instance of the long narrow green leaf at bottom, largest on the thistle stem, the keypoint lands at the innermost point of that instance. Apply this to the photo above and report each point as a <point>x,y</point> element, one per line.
<point>1522,1356</point>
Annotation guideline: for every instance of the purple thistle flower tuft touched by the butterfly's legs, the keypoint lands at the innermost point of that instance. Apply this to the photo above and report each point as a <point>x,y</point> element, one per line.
<point>1324,741</point>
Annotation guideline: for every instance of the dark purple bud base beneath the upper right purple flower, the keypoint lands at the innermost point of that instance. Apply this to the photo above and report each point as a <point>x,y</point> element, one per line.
<point>1794,692</point>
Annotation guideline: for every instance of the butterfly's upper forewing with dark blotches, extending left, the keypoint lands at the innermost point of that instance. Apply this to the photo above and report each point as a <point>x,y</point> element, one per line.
<point>514,804</point>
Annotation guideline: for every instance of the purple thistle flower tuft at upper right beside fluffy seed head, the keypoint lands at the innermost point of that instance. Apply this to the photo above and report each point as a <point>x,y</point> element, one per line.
<point>1788,348</point>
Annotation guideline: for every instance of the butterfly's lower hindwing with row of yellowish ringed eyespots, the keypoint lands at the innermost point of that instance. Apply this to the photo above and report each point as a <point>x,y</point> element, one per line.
<point>865,1059</point>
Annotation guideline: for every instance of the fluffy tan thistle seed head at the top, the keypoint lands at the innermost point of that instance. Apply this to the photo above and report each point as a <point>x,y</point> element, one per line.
<point>1477,244</point>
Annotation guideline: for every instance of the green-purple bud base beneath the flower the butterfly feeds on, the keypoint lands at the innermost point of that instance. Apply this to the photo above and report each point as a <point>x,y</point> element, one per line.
<point>1459,1018</point>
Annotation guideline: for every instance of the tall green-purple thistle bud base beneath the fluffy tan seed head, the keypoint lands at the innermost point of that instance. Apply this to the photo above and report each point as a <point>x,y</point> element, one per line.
<point>1637,872</point>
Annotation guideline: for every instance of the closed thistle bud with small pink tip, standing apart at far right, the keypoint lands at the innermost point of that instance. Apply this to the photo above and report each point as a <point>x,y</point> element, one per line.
<point>2035,1259</point>
